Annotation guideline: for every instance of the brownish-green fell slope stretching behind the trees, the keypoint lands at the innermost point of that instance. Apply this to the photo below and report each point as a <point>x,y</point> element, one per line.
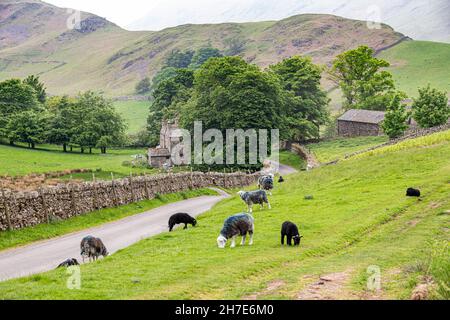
<point>104,57</point>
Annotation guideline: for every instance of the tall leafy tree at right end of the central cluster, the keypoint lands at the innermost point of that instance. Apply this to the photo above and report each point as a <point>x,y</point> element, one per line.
<point>306,102</point>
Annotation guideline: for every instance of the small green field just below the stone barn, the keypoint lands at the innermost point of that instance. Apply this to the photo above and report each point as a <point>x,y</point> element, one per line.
<point>331,150</point>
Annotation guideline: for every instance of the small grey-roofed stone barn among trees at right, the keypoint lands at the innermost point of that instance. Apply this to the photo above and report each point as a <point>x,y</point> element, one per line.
<point>355,123</point>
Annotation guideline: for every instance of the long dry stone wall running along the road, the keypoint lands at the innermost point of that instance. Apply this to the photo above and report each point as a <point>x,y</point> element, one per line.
<point>24,209</point>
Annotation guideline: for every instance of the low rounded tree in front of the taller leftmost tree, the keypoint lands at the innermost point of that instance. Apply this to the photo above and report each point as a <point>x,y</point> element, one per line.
<point>28,126</point>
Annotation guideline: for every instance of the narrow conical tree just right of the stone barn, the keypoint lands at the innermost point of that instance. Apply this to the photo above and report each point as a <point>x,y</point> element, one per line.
<point>394,124</point>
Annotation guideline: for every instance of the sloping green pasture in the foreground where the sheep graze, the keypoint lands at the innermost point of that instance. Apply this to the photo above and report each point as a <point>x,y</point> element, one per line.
<point>359,217</point>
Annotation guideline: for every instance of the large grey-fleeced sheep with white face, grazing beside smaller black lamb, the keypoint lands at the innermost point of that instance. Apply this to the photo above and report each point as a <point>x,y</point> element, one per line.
<point>234,226</point>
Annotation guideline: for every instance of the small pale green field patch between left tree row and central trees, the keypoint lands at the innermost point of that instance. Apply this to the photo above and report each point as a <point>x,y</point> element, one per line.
<point>135,114</point>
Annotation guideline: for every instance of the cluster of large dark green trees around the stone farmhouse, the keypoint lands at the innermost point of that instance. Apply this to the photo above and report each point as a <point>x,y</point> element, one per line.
<point>227,92</point>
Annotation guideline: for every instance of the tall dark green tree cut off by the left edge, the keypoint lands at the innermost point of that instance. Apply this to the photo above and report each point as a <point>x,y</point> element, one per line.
<point>15,97</point>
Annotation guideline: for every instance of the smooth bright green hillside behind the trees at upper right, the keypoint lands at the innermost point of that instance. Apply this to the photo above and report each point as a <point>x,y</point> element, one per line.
<point>414,64</point>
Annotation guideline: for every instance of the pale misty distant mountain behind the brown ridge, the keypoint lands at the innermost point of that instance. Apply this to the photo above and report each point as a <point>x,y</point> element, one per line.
<point>418,19</point>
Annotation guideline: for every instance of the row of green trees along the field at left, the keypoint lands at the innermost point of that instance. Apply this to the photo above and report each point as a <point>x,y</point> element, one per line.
<point>28,116</point>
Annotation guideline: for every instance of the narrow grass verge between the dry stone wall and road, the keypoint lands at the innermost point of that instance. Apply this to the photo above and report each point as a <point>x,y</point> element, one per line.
<point>9,239</point>
